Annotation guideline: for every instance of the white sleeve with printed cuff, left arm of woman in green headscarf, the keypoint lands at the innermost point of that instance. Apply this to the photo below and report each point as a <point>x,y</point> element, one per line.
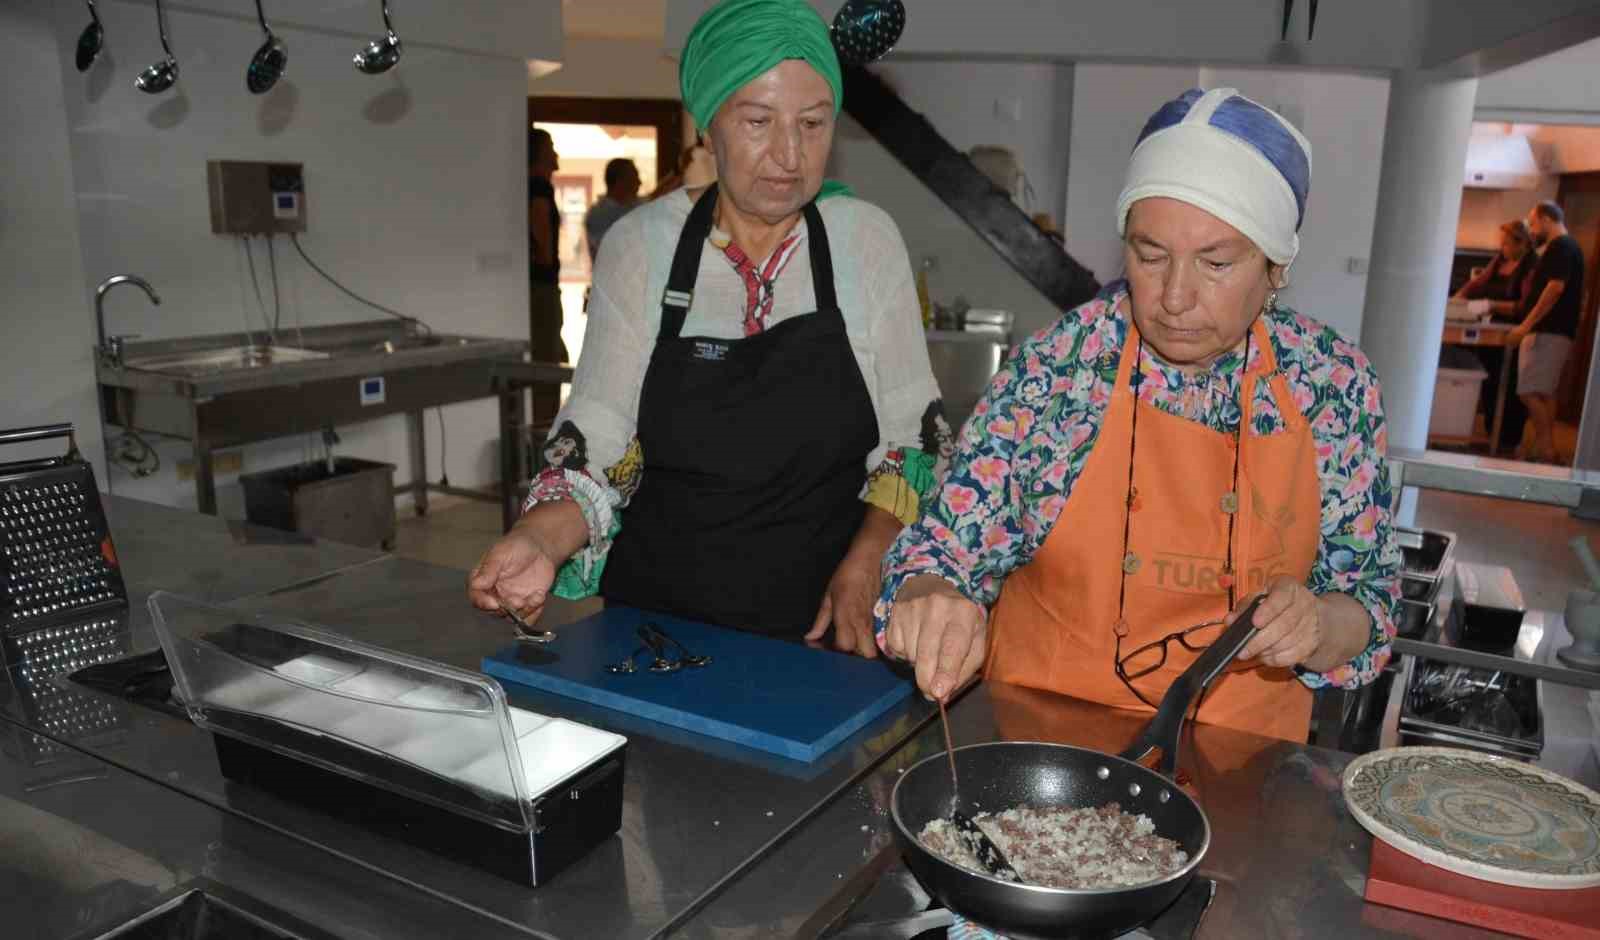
<point>593,453</point>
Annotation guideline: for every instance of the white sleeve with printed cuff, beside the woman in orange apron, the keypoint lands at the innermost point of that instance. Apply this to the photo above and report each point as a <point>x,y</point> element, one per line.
<point>914,439</point>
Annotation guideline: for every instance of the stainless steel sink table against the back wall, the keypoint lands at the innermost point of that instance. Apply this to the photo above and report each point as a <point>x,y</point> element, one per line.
<point>225,408</point>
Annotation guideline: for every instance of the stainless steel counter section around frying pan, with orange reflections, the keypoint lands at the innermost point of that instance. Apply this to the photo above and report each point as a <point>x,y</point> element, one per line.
<point>1289,859</point>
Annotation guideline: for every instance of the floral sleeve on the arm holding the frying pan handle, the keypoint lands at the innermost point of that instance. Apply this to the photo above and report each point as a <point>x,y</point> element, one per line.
<point>1359,554</point>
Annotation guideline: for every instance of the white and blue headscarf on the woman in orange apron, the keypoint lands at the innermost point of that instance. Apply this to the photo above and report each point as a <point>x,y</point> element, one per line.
<point>1225,154</point>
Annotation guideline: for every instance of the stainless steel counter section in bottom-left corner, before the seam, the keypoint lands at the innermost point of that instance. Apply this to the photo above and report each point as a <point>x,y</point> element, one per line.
<point>89,846</point>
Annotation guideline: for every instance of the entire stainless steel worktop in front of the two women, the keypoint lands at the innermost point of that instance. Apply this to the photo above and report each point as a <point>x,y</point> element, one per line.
<point>716,842</point>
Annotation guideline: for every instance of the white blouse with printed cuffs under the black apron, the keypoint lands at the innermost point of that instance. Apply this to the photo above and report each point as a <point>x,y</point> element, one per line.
<point>878,300</point>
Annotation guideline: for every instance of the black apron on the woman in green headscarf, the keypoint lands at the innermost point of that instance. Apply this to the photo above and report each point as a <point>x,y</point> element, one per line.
<point>754,460</point>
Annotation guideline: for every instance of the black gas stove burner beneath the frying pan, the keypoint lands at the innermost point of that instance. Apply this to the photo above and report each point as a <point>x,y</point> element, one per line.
<point>895,907</point>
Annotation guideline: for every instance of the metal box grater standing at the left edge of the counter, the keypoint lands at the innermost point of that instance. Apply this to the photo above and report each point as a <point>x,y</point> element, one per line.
<point>57,557</point>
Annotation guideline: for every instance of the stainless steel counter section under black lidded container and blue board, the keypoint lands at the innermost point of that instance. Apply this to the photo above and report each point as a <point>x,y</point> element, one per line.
<point>695,811</point>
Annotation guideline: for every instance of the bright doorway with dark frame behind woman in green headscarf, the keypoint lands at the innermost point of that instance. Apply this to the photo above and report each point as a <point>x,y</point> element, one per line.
<point>588,133</point>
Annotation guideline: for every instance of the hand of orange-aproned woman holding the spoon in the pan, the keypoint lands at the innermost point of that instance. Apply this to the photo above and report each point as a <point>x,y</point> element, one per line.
<point>943,634</point>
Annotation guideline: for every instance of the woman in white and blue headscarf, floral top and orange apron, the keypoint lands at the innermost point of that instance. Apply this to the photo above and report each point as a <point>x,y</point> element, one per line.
<point>1161,455</point>
